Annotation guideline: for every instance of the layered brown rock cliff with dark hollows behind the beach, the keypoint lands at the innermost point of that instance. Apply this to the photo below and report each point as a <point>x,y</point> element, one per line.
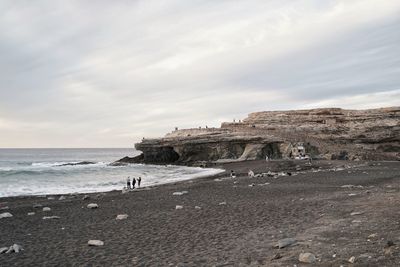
<point>329,133</point>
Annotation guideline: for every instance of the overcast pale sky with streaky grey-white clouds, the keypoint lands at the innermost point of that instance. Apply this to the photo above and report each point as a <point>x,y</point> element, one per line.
<point>107,73</point>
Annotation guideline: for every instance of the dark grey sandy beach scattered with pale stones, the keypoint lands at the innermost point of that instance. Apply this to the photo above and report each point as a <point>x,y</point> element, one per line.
<point>238,223</point>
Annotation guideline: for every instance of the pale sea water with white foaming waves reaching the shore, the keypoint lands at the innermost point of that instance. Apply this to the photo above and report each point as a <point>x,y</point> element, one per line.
<point>52,171</point>
